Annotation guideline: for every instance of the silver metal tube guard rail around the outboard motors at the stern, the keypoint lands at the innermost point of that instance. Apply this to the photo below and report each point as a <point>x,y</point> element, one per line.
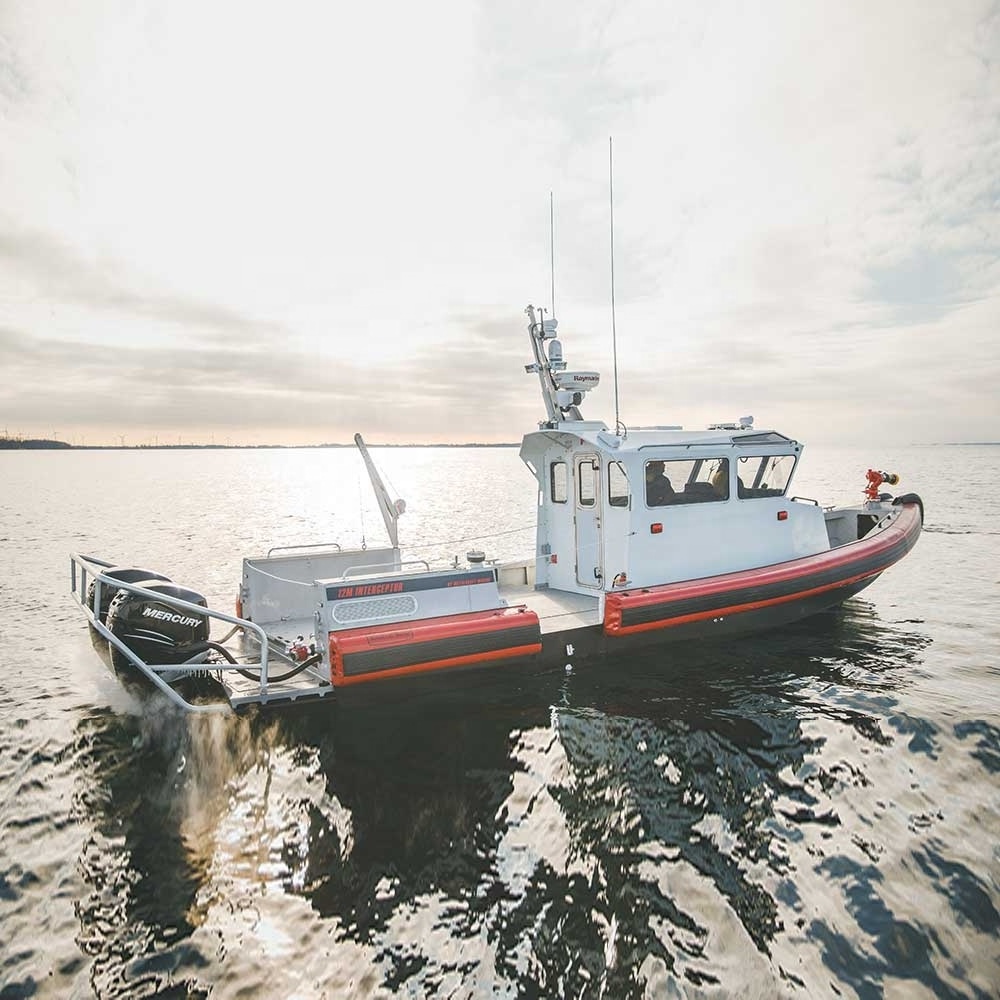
<point>150,670</point>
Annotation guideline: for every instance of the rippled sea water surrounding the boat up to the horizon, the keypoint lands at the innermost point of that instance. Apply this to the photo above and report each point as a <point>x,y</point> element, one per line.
<point>810,813</point>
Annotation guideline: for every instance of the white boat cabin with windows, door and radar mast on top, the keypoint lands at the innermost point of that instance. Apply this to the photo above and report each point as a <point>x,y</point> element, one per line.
<point>656,505</point>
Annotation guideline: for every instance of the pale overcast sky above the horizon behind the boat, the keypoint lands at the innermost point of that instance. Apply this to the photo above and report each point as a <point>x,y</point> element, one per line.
<point>287,222</point>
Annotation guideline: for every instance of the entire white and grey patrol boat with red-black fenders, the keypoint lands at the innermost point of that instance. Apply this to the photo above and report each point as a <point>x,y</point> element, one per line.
<point>644,536</point>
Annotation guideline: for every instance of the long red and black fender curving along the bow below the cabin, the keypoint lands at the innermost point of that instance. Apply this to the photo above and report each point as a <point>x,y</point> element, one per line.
<point>668,605</point>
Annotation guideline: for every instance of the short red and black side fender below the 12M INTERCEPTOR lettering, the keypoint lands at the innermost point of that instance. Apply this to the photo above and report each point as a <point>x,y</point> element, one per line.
<point>381,652</point>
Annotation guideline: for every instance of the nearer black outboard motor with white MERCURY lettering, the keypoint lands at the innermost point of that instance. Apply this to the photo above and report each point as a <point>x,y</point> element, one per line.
<point>157,632</point>
